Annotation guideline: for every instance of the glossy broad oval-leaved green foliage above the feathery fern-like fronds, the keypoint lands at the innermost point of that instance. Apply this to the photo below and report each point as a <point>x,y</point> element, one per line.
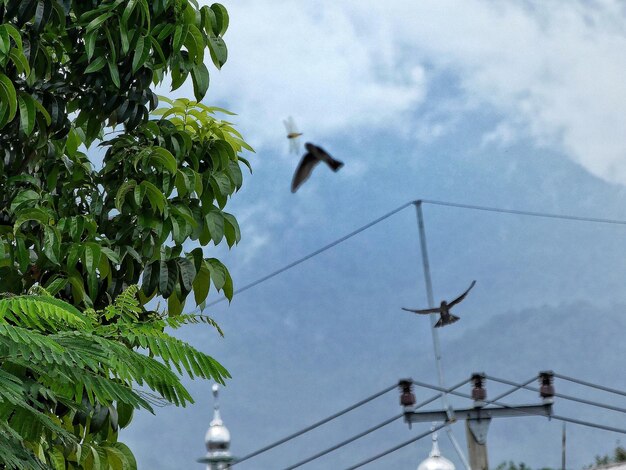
<point>88,234</point>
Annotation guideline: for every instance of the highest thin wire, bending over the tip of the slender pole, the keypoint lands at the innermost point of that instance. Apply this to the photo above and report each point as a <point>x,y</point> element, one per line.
<point>404,206</point>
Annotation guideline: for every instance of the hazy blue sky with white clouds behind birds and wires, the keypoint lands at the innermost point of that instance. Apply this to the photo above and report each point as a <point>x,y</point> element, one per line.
<point>514,104</point>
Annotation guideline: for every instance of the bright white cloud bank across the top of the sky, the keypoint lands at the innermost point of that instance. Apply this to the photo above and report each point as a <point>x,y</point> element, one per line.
<point>553,70</point>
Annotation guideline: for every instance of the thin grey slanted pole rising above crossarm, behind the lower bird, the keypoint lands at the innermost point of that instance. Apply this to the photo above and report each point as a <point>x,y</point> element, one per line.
<point>435,335</point>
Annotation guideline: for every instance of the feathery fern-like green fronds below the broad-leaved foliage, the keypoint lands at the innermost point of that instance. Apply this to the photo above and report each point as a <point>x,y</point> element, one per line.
<point>65,375</point>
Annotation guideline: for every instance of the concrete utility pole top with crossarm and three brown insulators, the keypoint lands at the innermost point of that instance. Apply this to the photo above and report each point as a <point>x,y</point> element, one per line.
<point>478,417</point>
